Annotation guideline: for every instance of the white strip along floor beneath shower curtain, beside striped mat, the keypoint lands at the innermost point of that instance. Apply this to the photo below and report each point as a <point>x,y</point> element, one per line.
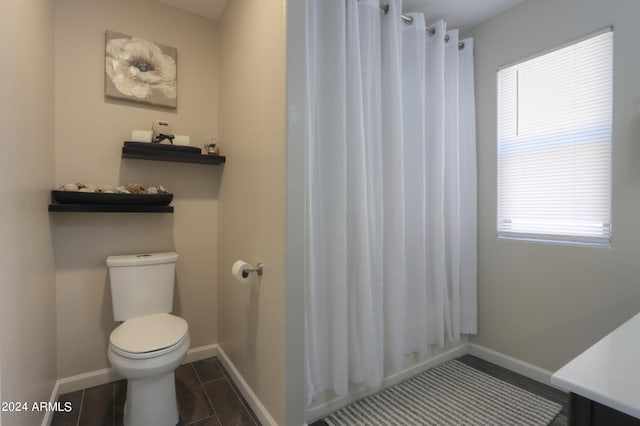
<point>322,409</point>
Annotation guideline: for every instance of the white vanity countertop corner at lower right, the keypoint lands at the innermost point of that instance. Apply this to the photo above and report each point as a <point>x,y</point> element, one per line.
<point>609,371</point>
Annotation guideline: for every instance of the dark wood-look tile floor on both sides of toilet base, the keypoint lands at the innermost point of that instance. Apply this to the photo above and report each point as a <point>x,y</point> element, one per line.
<point>206,397</point>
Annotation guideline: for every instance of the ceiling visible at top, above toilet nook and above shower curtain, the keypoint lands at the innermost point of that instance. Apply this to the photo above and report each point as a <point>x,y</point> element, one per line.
<point>462,14</point>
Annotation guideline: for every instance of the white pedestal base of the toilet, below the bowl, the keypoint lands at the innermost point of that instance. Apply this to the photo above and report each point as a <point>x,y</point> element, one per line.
<point>151,401</point>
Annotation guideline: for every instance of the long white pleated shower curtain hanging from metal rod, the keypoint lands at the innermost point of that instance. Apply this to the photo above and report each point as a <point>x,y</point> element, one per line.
<point>391,191</point>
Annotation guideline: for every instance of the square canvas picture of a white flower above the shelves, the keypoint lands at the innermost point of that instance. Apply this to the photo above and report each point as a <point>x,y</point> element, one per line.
<point>140,71</point>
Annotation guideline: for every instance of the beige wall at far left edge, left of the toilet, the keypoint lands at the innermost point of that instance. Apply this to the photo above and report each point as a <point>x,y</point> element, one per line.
<point>27,280</point>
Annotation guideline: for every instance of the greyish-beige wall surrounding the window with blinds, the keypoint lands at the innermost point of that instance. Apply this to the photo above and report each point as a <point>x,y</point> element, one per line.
<point>546,303</point>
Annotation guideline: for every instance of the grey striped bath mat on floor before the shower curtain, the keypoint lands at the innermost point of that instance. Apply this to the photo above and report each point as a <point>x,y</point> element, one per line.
<point>450,394</point>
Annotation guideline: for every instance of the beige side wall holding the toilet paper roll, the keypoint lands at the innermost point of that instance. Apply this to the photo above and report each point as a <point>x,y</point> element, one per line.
<point>251,319</point>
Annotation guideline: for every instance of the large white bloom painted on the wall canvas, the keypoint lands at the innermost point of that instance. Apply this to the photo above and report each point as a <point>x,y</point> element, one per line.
<point>136,67</point>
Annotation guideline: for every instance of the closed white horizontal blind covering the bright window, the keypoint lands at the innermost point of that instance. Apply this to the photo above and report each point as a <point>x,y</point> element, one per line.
<point>554,144</point>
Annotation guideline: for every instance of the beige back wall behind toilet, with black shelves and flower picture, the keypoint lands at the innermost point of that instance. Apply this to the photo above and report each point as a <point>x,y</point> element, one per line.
<point>89,134</point>
